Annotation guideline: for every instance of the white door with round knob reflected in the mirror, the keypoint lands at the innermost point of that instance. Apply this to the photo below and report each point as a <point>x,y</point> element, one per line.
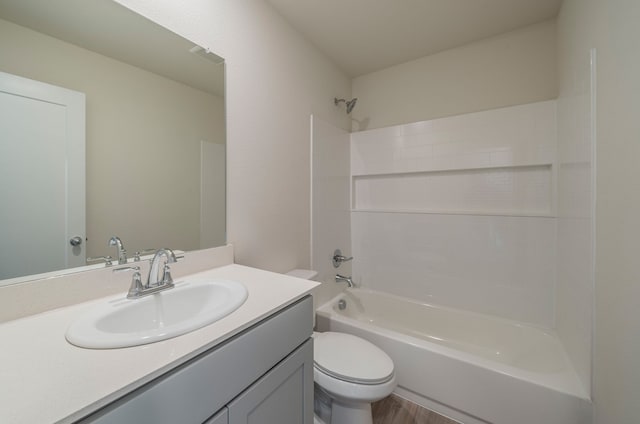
<point>43,204</point>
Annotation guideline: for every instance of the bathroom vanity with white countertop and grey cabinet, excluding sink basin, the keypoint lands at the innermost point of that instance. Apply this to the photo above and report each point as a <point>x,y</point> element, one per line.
<point>254,365</point>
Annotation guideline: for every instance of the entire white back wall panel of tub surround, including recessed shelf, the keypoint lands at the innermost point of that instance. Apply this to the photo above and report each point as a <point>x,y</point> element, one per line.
<point>460,211</point>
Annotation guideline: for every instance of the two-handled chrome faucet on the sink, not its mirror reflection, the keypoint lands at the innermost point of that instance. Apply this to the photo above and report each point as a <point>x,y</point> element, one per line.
<point>155,282</point>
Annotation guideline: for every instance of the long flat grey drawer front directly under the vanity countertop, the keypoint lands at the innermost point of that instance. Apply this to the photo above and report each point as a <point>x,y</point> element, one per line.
<point>194,391</point>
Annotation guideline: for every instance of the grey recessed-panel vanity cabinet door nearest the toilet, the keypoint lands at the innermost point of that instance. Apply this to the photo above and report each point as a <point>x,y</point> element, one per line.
<point>282,396</point>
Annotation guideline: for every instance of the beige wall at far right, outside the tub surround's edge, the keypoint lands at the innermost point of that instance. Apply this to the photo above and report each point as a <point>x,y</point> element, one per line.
<point>612,27</point>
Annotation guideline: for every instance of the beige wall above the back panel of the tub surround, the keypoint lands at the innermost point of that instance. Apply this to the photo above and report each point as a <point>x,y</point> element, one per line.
<point>514,68</point>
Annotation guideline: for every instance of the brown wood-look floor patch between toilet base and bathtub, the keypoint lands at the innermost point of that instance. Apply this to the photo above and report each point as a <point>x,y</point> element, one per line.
<point>395,410</point>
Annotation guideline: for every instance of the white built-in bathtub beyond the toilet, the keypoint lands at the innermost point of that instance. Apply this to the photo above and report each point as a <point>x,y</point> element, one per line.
<point>471,367</point>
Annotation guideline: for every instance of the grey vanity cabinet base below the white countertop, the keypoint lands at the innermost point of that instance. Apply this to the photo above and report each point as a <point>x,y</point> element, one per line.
<point>262,375</point>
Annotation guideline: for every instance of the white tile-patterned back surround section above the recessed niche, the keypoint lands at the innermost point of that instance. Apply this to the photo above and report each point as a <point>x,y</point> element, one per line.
<point>515,136</point>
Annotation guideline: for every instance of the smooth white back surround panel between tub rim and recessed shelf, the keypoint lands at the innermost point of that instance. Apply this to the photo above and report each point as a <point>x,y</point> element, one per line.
<point>498,265</point>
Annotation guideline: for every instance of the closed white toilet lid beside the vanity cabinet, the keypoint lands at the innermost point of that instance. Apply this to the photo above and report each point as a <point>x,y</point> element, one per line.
<point>350,358</point>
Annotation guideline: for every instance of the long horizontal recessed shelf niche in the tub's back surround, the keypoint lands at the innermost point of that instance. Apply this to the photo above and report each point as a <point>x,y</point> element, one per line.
<point>523,190</point>
